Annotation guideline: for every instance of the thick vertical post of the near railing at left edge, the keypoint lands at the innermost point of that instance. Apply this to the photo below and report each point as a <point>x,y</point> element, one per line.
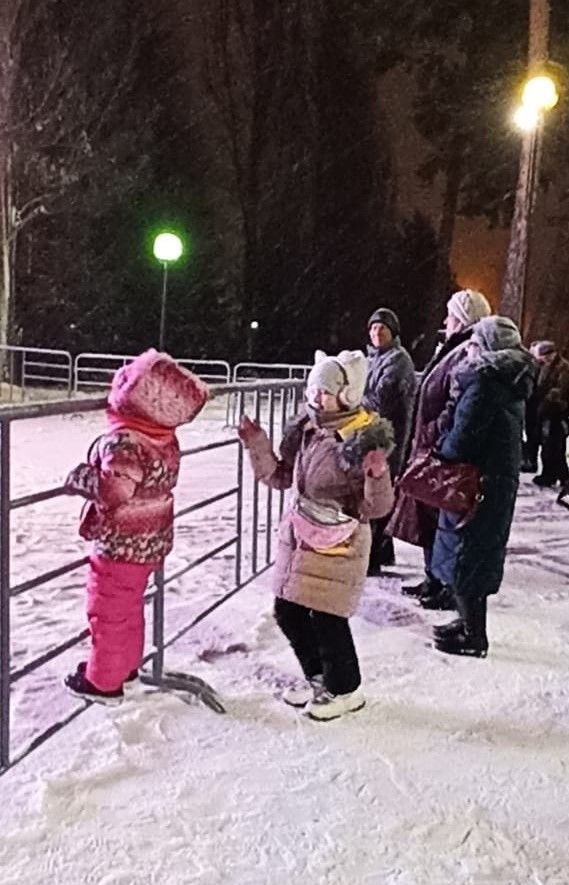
<point>4,594</point>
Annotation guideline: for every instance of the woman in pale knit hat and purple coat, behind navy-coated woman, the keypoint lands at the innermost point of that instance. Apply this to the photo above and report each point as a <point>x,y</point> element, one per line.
<point>412,521</point>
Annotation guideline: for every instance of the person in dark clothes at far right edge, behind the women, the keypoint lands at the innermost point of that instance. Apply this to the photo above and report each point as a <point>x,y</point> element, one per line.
<point>552,402</point>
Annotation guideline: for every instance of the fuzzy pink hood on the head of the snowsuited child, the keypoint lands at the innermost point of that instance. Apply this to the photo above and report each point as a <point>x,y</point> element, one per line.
<point>156,388</point>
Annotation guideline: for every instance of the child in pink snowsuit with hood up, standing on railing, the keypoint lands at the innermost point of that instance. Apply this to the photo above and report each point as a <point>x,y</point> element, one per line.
<point>128,482</point>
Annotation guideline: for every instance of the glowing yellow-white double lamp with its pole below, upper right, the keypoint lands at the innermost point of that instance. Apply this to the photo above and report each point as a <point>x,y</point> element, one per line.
<point>539,95</point>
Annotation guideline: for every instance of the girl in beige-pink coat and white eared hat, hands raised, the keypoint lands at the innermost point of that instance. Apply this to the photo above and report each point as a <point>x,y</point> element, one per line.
<point>334,456</point>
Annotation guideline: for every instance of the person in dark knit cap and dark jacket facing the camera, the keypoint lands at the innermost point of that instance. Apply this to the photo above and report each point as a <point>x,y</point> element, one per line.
<point>390,392</point>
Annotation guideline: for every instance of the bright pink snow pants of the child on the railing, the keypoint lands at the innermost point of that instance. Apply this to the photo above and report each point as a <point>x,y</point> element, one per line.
<point>115,608</point>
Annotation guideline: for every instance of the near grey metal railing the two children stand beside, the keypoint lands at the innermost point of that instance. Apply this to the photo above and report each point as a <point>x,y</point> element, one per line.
<point>270,404</point>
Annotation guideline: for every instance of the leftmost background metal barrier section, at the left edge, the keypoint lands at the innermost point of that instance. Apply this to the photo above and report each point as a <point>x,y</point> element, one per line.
<point>26,367</point>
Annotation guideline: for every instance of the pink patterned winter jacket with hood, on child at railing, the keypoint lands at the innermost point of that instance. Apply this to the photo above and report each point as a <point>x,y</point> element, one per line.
<point>131,470</point>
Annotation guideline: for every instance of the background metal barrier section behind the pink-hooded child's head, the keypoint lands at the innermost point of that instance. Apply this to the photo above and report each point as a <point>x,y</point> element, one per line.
<point>94,371</point>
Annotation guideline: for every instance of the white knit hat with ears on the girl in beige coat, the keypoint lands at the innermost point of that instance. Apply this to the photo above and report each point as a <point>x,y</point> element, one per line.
<point>343,376</point>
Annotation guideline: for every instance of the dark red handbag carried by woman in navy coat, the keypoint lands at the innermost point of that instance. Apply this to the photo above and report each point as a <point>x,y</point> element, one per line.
<point>456,488</point>
